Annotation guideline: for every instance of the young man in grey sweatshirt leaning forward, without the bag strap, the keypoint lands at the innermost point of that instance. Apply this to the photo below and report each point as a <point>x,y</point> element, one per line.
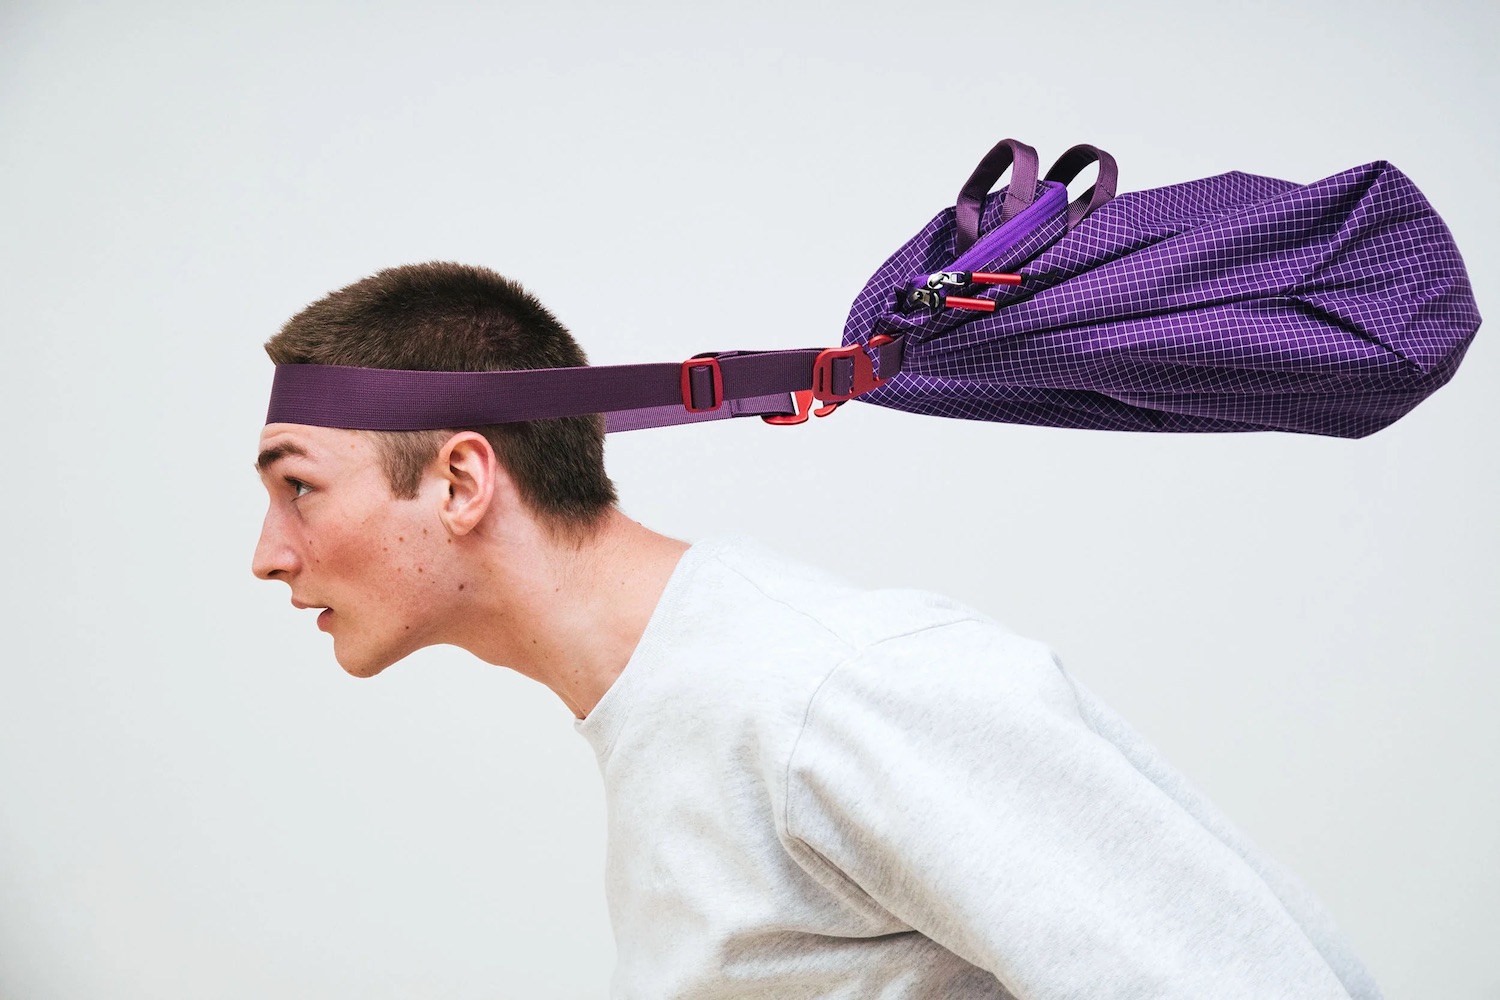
<point>814,791</point>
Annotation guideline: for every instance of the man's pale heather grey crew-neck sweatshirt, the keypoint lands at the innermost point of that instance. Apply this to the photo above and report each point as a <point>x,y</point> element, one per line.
<point>824,792</point>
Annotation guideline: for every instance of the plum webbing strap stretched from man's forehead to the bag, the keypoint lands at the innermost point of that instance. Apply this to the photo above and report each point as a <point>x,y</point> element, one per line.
<point>635,397</point>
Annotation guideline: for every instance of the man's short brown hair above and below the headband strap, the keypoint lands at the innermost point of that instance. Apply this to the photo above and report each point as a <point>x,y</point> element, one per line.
<point>458,319</point>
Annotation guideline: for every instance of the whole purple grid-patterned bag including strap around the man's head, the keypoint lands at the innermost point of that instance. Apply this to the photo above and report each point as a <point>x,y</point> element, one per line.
<point>1226,304</point>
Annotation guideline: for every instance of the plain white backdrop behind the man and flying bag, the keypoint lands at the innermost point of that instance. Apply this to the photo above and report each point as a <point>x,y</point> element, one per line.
<point>197,803</point>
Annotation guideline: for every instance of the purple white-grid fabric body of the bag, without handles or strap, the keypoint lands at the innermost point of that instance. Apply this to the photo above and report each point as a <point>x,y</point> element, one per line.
<point>1228,304</point>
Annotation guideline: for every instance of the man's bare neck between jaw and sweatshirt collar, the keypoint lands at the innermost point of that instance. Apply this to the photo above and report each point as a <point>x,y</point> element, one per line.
<point>571,617</point>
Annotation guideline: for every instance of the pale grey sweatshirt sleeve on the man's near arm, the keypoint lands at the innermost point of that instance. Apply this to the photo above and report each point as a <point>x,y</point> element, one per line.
<point>950,779</point>
